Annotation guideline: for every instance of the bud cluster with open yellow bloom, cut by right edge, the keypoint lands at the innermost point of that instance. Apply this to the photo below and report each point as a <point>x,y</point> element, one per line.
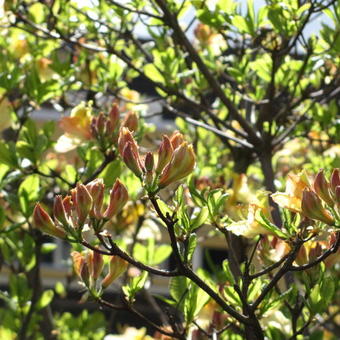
<point>319,200</point>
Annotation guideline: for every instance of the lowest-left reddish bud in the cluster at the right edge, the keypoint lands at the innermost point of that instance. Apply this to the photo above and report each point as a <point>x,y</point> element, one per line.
<point>312,208</point>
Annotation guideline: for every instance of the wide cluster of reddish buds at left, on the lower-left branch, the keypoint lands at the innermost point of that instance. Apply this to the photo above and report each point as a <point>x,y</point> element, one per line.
<point>74,211</point>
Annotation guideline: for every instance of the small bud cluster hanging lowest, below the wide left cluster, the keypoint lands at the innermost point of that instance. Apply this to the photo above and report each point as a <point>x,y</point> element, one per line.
<point>89,267</point>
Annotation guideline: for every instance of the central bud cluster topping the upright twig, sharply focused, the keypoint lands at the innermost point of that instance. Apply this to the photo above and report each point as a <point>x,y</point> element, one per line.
<point>175,160</point>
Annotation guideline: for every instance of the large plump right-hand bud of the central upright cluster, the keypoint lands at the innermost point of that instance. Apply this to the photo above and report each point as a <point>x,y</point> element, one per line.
<point>181,165</point>
